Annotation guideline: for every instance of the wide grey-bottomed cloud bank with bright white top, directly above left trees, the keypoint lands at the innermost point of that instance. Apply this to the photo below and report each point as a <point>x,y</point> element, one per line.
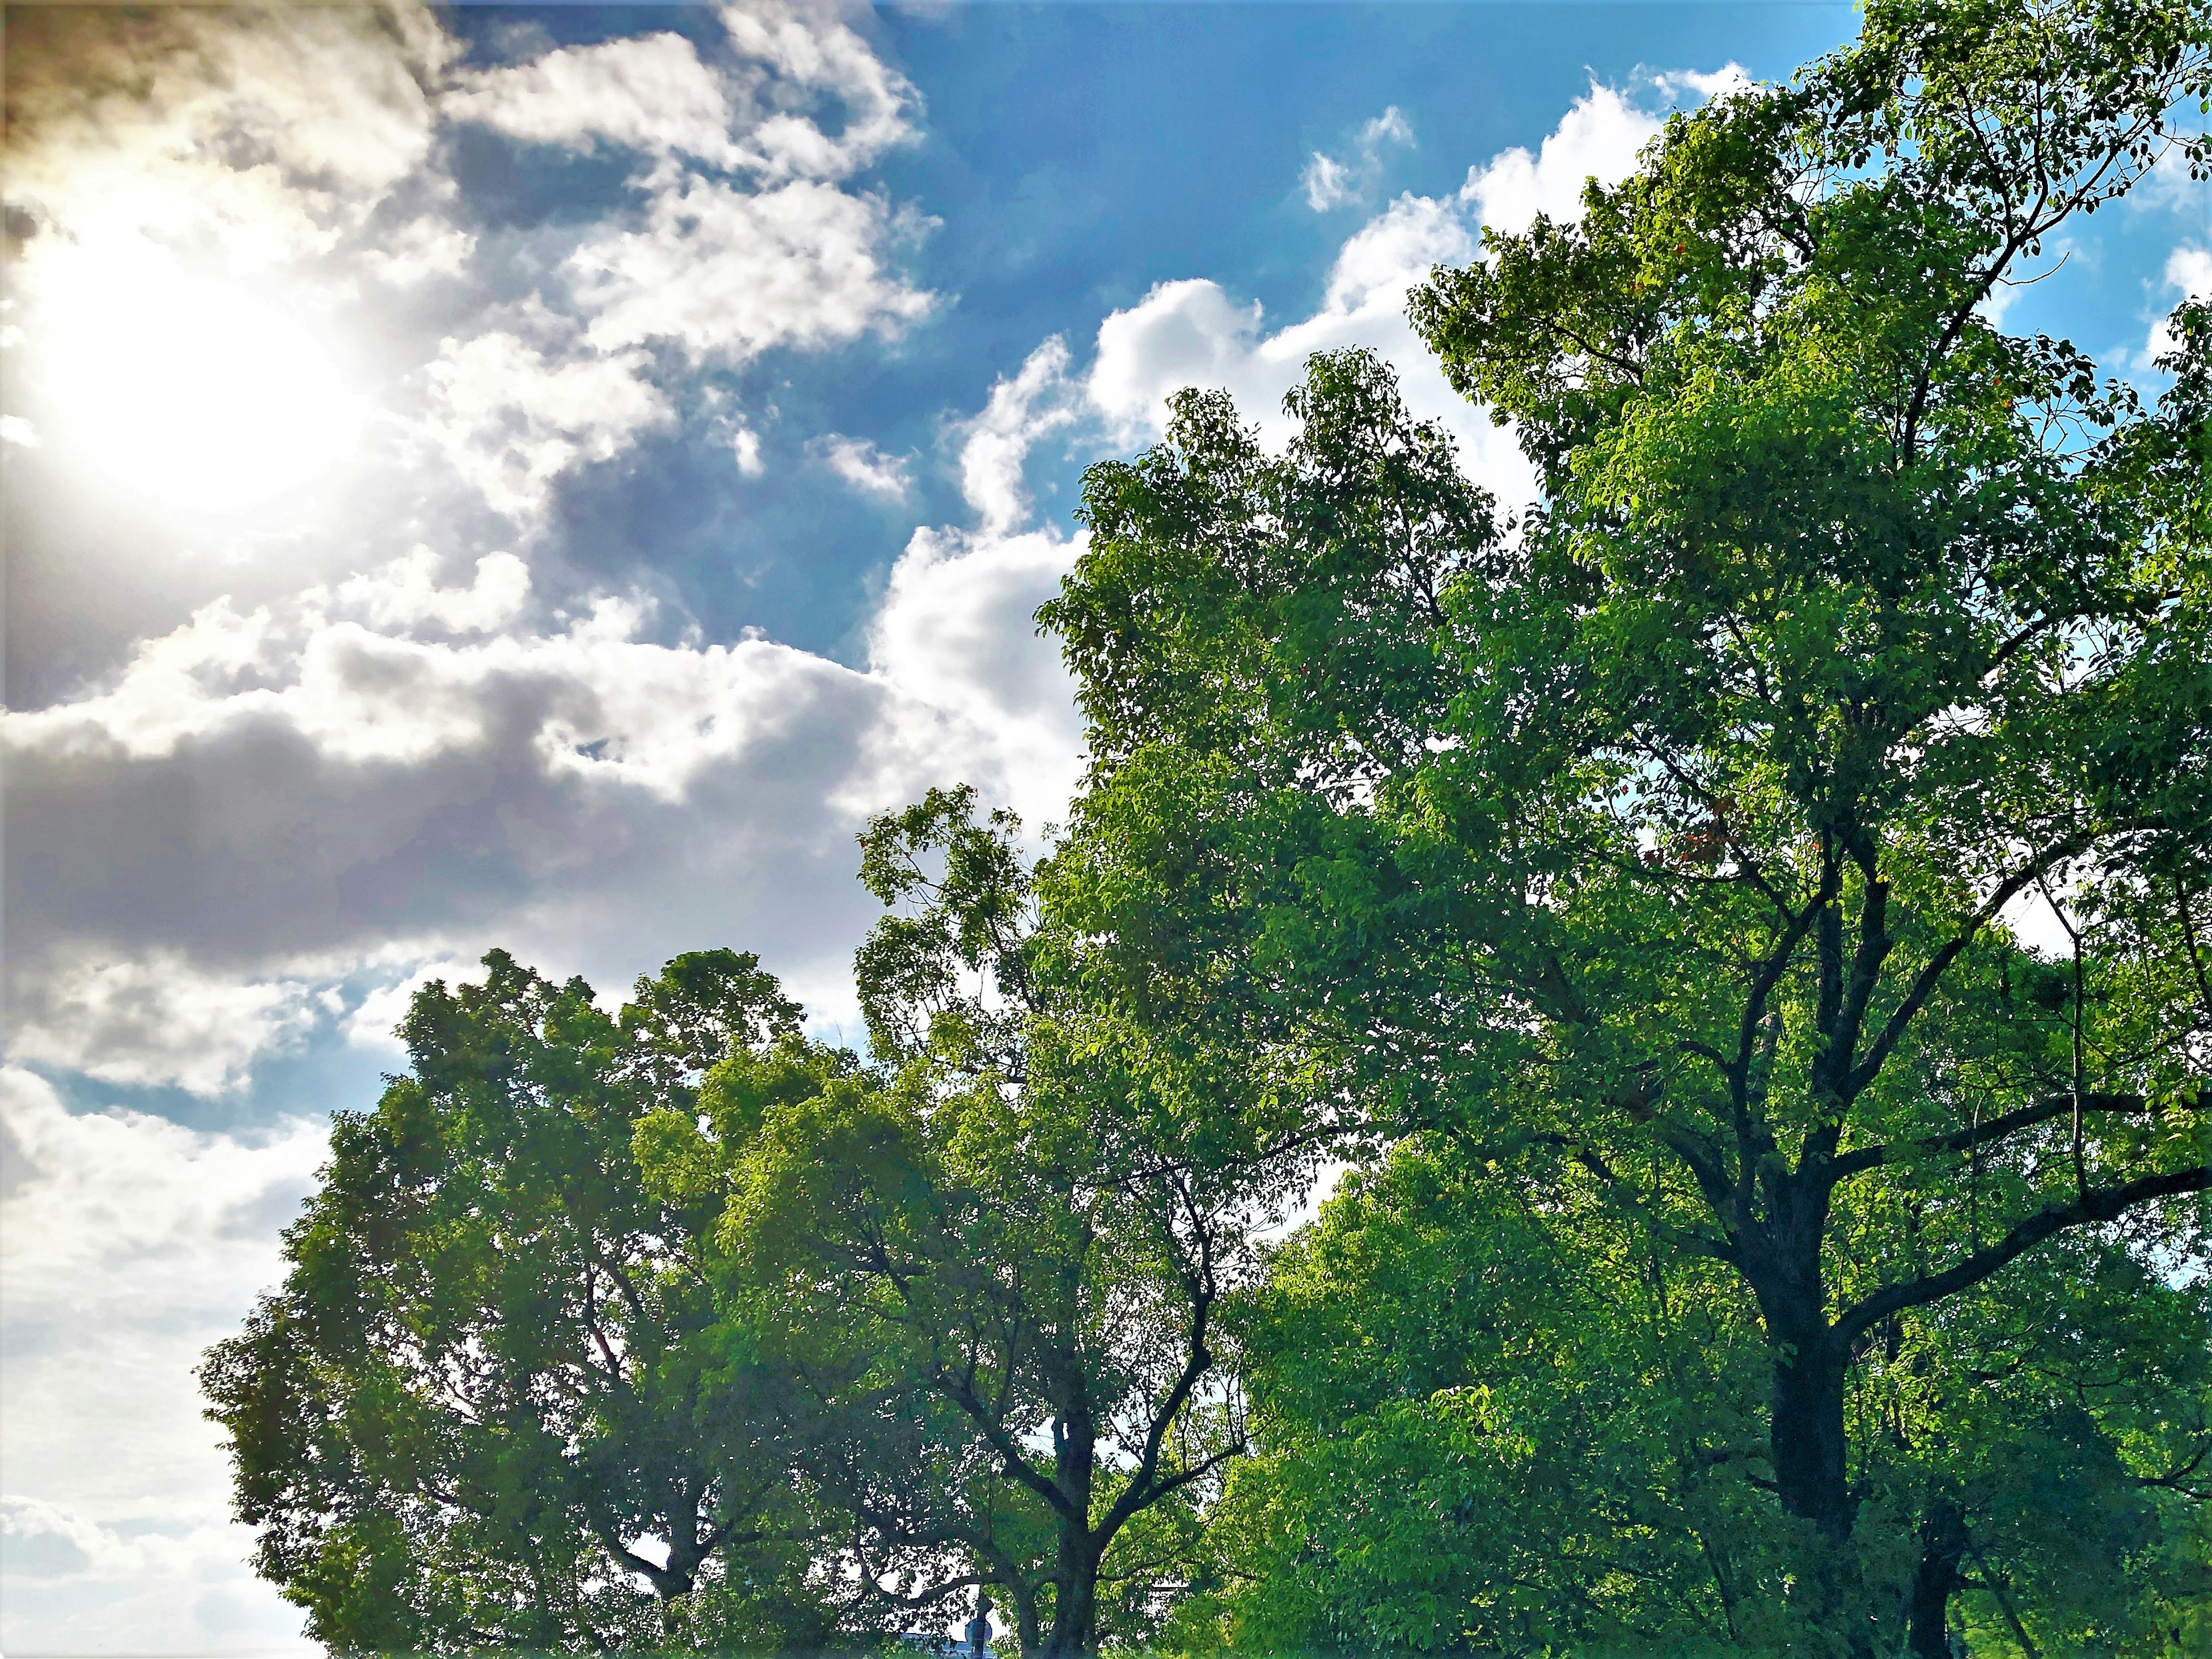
<point>273,800</point>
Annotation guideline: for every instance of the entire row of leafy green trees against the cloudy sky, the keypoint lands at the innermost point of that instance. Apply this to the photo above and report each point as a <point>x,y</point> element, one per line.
<point>1749,1240</point>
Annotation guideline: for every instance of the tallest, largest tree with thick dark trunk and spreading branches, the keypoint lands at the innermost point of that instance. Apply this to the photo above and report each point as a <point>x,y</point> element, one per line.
<point>1678,826</point>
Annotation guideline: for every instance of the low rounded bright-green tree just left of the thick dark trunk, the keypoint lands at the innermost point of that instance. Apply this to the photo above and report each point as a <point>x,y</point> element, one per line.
<point>1492,1419</point>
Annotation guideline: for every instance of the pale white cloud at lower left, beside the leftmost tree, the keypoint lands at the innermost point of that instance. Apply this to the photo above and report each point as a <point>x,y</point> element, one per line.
<point>129,1244</point>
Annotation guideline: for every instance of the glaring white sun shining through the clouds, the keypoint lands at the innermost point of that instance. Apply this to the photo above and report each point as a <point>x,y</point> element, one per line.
<point>191,390</point>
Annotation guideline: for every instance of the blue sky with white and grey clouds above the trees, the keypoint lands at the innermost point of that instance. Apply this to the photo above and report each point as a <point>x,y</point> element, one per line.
<point>541,477</point>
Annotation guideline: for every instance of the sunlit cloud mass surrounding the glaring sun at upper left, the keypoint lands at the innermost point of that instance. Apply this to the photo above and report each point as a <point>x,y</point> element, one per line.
<point>249,249</point>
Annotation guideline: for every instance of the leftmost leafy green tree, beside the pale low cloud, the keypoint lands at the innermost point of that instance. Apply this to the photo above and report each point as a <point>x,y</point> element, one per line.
<point>483,1408</point>
